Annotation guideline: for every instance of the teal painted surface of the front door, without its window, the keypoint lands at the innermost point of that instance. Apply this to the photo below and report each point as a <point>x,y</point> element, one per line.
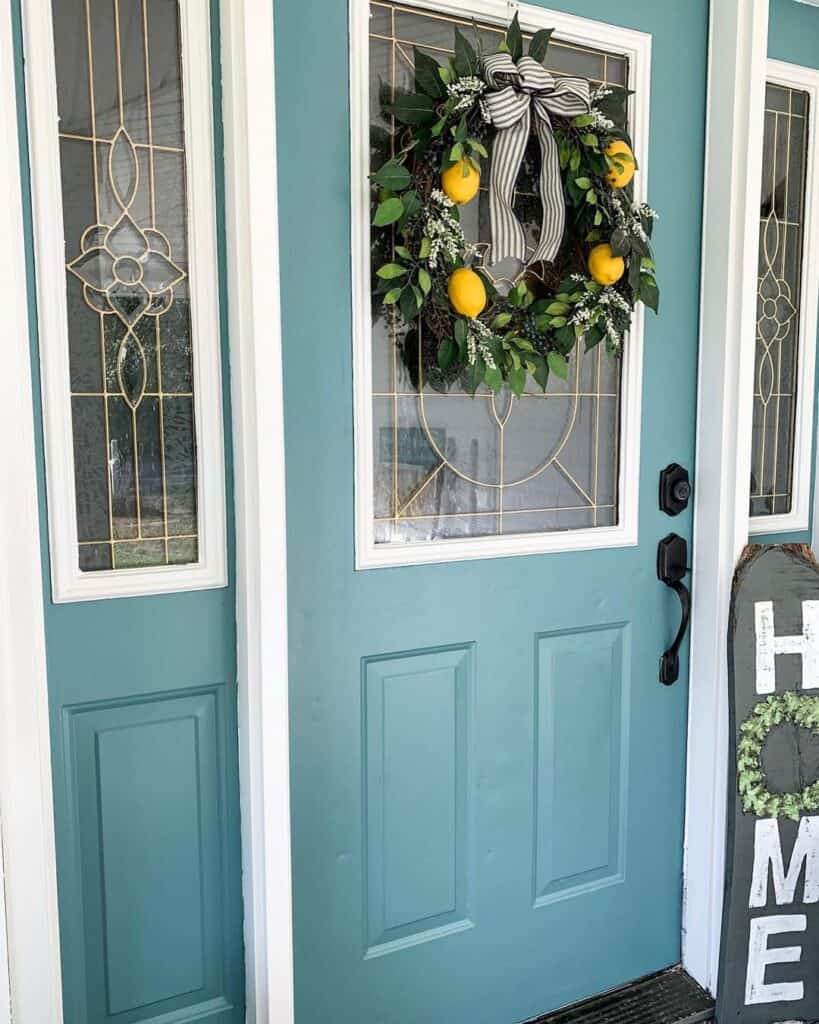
<point>488,778</point>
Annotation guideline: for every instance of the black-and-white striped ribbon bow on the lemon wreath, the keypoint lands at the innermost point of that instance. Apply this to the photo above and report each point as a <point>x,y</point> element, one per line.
<point>516,91</point>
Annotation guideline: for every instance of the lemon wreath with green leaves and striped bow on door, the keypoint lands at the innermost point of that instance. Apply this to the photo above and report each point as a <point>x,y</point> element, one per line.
<point>587,271</point>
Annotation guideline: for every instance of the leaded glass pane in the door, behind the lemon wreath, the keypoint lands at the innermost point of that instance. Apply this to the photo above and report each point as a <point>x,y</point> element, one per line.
<point>448,465</point>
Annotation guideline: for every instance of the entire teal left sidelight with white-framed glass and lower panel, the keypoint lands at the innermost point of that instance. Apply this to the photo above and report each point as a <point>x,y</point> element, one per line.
<point>122,104</point>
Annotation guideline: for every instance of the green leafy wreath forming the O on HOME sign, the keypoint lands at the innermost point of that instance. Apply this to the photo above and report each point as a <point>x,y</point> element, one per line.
<point>767,715</point>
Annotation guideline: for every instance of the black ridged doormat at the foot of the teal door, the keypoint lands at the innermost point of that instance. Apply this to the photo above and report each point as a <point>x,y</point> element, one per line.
<point>670,998</point>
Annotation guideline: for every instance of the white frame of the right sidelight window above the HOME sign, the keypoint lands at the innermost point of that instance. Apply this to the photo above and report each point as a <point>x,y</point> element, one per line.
<point>807,80</point>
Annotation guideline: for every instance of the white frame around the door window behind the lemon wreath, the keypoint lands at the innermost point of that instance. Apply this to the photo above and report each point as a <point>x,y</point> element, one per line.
<point>637,47</point>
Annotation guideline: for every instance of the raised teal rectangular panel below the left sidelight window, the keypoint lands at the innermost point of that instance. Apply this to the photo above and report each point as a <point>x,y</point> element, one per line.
<point>149,778</point>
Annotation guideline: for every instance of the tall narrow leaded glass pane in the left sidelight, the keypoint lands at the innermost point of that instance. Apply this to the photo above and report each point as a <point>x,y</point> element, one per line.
<point>124,204</point>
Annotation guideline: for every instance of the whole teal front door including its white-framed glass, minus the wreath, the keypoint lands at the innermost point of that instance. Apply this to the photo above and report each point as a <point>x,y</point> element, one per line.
<point>488,778</point>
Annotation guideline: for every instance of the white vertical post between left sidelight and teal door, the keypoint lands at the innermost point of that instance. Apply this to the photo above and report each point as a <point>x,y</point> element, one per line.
<point>248,59</point>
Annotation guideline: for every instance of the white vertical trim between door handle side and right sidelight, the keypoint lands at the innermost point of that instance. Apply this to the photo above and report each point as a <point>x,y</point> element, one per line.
<point>739,42</point>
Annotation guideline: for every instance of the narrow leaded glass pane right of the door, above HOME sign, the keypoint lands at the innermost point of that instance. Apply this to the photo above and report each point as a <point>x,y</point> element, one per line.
<point>782,240</point>
